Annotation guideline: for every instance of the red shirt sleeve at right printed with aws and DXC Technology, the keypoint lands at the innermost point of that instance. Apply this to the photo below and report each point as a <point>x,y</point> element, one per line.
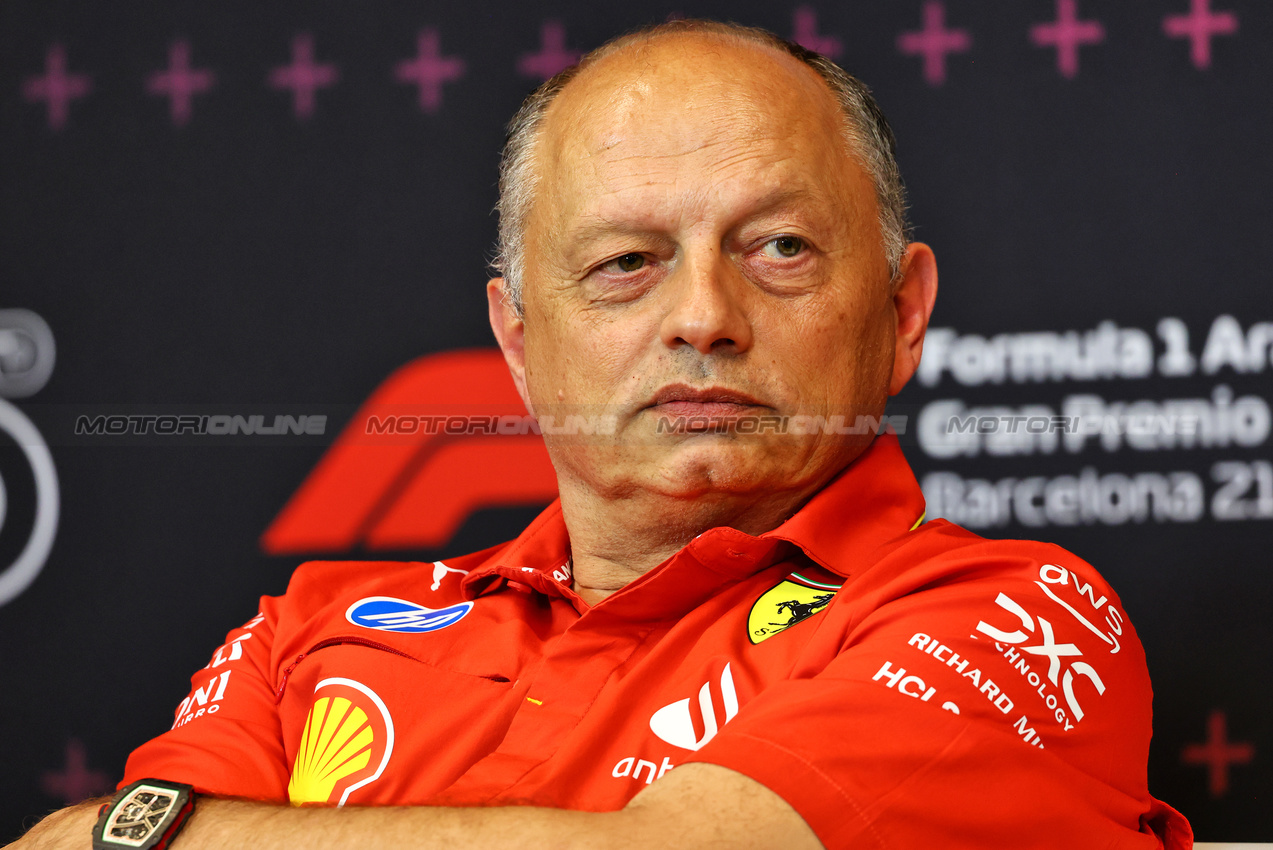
<point>991,704</point>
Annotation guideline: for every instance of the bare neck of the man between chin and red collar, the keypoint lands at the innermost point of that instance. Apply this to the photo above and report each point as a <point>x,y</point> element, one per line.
<point>617,541</point>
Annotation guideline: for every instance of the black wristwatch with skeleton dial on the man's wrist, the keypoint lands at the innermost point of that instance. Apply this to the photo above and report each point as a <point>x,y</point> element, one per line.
<point>144,816</point>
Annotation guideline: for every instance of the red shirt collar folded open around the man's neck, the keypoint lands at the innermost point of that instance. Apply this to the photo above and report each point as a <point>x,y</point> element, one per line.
<point>874,501</point>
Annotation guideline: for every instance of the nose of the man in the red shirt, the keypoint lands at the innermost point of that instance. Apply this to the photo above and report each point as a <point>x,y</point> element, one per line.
<point>707,310</point>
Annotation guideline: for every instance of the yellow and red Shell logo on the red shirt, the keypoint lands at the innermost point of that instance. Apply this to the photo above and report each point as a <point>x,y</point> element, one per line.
<point>347,744</point>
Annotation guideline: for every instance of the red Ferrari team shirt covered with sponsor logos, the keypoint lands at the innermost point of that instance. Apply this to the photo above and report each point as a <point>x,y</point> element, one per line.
<point>901,685</point>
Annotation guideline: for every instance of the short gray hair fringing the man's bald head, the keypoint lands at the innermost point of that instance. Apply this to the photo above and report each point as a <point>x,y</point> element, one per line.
<point>866,132</point>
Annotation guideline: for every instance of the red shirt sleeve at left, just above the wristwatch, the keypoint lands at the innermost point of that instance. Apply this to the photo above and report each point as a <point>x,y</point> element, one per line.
<point>226,739</point>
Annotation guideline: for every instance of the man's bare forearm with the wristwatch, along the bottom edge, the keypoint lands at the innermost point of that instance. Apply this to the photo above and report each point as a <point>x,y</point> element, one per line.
<point>694,806</point>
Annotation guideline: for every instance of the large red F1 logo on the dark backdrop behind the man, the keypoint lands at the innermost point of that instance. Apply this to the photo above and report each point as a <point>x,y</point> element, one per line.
<point>425,452</point>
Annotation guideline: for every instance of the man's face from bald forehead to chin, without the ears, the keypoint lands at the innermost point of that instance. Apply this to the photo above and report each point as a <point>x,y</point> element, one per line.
<point>703,251</point>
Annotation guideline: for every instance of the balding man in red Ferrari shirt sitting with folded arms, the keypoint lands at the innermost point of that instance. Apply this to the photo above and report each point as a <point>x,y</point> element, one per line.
<point>734,629</point>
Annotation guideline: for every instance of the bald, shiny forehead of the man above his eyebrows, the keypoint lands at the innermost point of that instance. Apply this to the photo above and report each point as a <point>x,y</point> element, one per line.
<point>655,118</point>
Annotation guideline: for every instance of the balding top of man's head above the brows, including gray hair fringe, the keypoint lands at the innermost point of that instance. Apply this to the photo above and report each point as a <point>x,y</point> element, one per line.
<point>693,66</point>
